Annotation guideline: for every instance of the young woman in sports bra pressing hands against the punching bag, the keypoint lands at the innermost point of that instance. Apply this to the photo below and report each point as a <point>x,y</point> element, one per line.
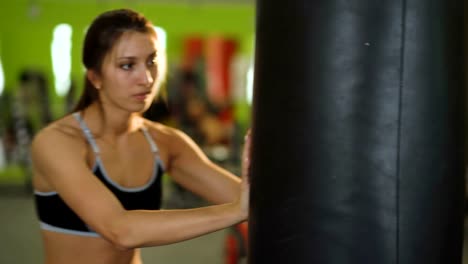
<point>97,171</point>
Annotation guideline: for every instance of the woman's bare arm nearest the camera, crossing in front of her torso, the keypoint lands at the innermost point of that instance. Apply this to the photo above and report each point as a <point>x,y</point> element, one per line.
<point>60,159</point>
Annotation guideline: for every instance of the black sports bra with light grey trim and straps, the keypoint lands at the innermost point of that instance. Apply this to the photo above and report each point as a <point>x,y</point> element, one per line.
<point>55,215</point>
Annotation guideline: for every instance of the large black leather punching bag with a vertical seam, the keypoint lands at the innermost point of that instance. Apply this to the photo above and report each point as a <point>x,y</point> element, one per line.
<point>358,132</point>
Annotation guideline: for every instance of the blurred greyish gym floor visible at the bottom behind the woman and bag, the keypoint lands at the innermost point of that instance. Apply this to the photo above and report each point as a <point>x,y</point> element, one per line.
<point>20,241</point>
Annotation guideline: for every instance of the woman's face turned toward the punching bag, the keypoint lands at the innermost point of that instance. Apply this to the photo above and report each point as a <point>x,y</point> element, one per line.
<point>129,73</point>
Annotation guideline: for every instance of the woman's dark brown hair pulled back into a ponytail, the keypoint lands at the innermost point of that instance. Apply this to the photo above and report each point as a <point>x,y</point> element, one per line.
<point>100,38</point>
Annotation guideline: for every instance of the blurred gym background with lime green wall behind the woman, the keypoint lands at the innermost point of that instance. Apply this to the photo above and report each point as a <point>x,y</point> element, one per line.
<point>207,93</point>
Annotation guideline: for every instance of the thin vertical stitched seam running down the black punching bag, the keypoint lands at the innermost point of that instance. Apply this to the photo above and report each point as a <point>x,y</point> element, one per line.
<point>400,110</point>
